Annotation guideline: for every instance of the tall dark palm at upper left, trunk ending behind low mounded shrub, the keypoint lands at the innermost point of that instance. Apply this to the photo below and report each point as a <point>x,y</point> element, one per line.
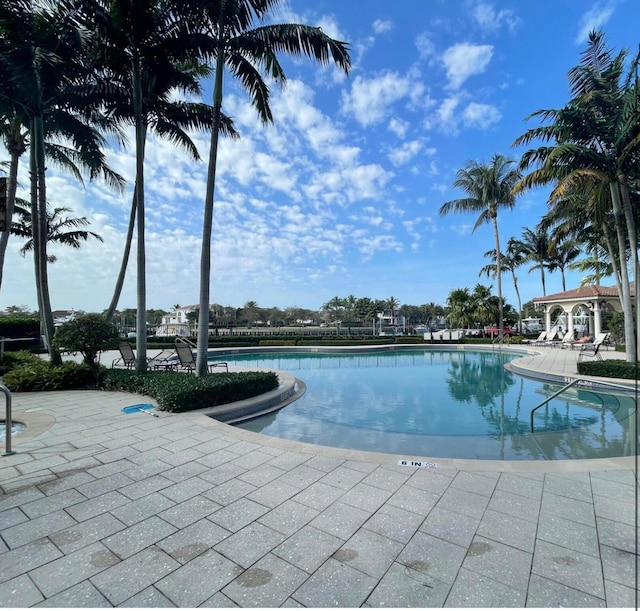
<point>43,63</point>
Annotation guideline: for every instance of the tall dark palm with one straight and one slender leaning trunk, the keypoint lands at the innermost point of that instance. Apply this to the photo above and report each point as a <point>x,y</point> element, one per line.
<point>145,51</point>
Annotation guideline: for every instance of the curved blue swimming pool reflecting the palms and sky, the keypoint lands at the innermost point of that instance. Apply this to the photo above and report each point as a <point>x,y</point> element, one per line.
<point>441,403</point>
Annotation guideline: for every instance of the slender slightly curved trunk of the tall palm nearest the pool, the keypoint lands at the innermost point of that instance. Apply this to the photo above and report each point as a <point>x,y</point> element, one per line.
<point>207,223</point>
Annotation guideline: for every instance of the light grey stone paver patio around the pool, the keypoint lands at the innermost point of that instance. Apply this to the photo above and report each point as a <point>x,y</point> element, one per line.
<point>100,509</point>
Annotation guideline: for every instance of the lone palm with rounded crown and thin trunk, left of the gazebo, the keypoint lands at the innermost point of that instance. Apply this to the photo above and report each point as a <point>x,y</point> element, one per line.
<point>489,187</point>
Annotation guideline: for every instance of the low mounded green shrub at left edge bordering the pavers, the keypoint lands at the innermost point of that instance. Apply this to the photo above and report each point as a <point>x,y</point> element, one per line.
<point>42,375</point>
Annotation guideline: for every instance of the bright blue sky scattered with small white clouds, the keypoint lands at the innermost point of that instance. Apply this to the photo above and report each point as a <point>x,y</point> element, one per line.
<point>341,195</point>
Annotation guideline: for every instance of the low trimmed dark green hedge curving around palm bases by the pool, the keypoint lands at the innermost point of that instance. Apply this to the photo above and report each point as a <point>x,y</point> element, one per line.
<point>180,392</point>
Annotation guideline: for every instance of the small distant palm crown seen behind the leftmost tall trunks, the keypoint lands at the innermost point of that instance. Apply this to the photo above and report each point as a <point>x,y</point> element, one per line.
<point>60,230</point>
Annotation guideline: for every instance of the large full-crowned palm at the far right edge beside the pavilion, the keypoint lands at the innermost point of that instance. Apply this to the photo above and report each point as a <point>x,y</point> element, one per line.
<point>596,136</point>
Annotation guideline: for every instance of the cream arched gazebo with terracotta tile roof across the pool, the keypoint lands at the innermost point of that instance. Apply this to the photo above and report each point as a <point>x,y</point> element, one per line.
<point>593,298</point>
